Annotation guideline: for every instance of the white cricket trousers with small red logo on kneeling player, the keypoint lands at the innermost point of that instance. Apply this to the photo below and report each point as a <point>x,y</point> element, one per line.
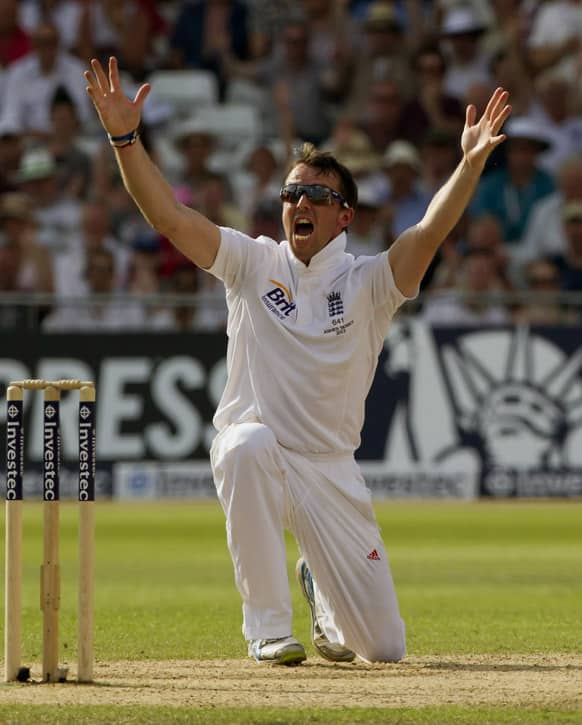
<point>265,488</point>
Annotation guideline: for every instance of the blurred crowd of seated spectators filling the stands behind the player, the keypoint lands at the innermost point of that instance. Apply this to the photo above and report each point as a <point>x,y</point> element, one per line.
<point>236,86</point>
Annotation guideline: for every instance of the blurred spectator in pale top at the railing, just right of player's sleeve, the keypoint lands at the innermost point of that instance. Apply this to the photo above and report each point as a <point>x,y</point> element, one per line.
<point>473,300</point>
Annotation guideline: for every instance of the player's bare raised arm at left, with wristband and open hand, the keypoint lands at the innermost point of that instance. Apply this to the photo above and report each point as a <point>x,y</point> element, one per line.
<point>192,233</point>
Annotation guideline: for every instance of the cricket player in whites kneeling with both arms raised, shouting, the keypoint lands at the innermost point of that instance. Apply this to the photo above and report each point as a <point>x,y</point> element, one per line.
<point>306,324</point>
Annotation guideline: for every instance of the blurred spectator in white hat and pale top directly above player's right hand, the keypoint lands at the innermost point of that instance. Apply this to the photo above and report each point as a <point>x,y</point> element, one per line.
<point>461,34</point>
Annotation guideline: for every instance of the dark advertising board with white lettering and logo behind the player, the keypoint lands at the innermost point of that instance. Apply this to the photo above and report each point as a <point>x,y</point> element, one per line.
<point>452,412</point>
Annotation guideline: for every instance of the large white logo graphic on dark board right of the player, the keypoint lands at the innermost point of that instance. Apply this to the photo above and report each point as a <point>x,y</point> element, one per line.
<point>500,409</point>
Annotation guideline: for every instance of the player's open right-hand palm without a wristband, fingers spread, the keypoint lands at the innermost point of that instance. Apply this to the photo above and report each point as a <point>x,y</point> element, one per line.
<point>479,139</point>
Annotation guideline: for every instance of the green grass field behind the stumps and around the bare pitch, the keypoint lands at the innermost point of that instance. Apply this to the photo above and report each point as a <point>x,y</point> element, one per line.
<point>495,579</point>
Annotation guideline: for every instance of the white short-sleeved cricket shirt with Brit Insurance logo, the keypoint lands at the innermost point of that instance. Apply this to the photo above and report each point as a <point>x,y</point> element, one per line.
<point>303,340</point>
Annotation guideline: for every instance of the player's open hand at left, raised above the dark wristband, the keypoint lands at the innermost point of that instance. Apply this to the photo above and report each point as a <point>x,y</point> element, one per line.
<point>118,113</point>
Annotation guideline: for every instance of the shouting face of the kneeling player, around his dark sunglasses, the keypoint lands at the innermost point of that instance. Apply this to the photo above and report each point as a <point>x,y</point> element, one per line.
<point>309,227</point>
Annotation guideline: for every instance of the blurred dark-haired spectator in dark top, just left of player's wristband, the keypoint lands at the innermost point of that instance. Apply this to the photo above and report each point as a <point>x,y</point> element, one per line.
<point>73,164</point>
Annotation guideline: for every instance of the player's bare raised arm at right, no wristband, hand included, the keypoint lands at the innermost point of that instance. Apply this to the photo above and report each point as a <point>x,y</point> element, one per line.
<point>413,251</point>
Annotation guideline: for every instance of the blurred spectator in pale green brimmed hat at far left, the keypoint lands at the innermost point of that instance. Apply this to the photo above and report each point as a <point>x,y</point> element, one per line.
<point>56,213</point>
